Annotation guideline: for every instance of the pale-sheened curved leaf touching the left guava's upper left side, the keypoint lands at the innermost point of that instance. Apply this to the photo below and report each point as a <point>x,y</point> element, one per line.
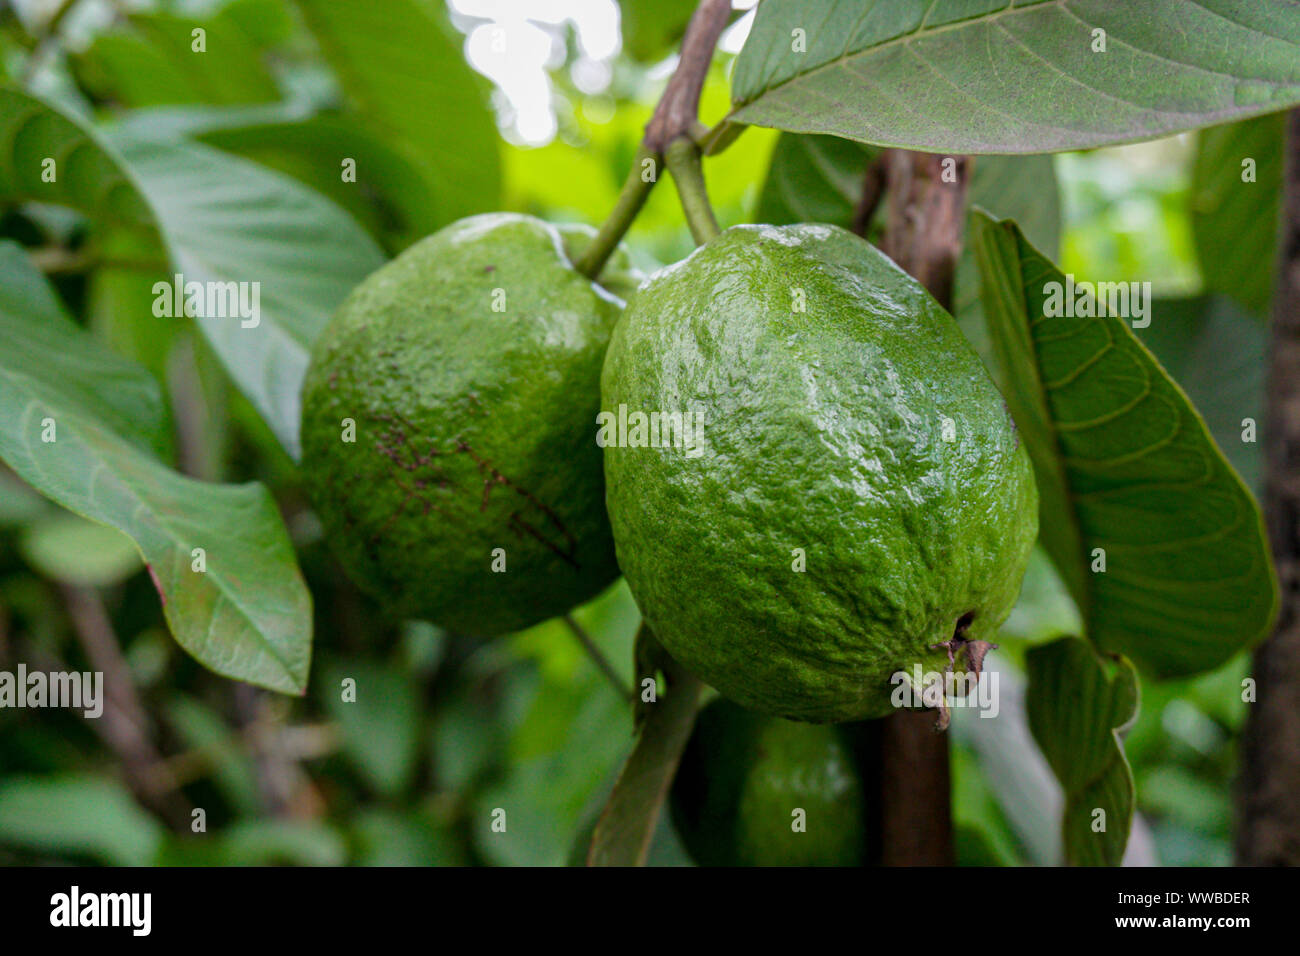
<point>222,219</point>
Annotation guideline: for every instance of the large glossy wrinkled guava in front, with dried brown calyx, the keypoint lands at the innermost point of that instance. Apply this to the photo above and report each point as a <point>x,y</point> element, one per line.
<point>847,426</point>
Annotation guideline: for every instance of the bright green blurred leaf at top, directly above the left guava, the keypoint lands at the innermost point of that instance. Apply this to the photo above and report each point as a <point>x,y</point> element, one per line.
<point>409,80</point>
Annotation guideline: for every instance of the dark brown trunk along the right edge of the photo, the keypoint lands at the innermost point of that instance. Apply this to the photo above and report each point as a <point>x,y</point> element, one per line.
<point>1269,785</point>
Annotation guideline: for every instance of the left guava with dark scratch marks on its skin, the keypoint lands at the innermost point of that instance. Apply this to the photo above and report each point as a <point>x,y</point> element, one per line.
<point>474,429</point>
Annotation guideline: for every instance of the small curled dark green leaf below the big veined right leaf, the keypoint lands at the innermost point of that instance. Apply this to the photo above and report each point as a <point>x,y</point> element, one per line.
<point>1080,707</point>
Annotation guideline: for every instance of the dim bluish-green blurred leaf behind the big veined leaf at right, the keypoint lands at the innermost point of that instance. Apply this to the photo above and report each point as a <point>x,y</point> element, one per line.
<point>1217,353</point>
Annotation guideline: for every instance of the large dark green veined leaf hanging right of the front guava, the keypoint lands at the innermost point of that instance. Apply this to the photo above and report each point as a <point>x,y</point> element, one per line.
<point>1126,465</point>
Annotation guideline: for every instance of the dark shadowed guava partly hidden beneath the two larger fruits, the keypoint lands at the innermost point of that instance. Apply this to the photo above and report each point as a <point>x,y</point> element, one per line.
<point>743,780</point>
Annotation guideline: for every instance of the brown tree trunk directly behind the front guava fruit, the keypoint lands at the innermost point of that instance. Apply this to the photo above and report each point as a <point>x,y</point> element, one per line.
<point>924,235</point>
